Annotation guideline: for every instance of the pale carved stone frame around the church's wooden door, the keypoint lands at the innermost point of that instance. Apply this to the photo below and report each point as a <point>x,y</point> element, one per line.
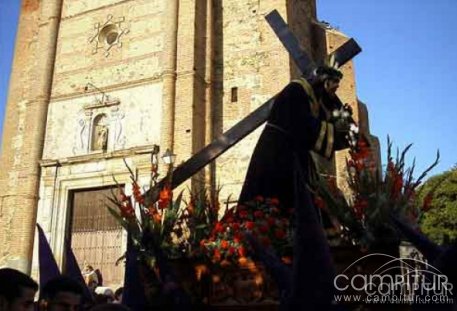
<point>58,179</point>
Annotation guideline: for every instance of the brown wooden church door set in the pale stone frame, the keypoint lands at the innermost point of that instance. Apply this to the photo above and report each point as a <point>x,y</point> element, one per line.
<point>96,237</point>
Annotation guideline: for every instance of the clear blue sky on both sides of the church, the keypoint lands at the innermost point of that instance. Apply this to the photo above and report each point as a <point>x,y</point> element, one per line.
<point>406,73</point>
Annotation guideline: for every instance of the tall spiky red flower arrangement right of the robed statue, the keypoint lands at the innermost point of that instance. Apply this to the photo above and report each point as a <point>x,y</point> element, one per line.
<point>363,215</point>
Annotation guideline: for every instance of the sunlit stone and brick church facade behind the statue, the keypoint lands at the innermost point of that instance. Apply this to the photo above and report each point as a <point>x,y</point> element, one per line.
<point>97,82</point>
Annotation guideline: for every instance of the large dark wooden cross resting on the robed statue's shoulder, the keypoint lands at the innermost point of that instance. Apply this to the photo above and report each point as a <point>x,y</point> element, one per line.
<point>259,116</point>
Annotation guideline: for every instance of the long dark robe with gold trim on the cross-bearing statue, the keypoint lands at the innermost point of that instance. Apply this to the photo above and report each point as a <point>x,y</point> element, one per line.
<point>297,124</point>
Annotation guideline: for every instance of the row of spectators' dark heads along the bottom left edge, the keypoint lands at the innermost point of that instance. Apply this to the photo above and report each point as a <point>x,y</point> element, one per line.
<point>18,292</point>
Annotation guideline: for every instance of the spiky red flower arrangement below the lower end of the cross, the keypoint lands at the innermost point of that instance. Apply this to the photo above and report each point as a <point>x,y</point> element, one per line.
<point>176,225</point>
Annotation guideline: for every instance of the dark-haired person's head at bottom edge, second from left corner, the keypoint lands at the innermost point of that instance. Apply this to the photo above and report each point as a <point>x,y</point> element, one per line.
<point>61,293</point>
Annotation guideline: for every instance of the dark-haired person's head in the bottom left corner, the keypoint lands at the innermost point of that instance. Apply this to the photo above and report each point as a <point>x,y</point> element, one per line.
<point>17,290</point>
